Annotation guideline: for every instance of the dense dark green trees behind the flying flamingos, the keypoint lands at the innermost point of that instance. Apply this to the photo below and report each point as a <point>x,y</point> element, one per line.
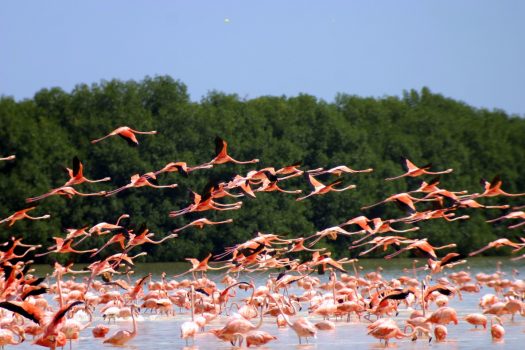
<point>46,132</point>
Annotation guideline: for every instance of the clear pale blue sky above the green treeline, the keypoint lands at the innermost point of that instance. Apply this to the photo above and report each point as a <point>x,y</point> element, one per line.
<point>469,50</point>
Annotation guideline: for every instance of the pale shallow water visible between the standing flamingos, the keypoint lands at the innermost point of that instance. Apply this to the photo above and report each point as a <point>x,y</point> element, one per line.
<point>158,332</point>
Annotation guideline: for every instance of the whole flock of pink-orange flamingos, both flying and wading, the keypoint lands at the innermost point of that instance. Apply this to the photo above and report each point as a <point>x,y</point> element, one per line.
<point>28,309</point>
